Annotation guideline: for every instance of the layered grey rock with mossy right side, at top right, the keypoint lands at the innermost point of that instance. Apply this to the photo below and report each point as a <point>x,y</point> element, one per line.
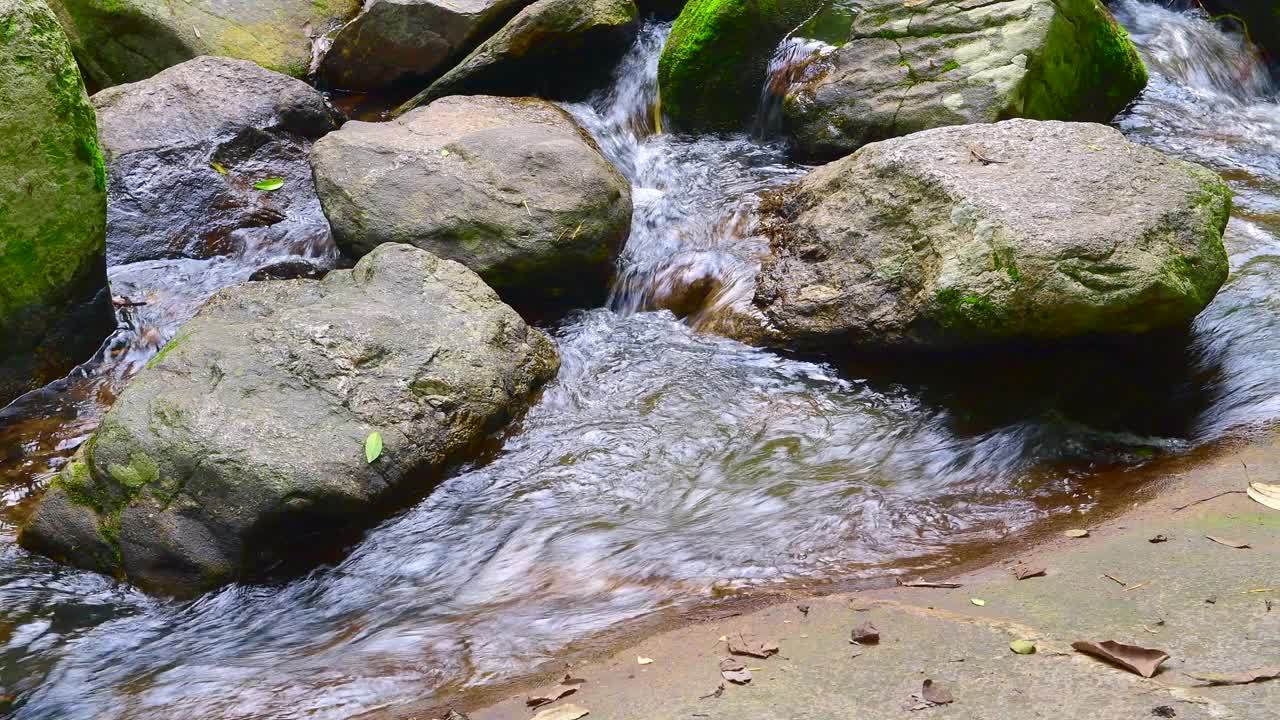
<point>917,66</point>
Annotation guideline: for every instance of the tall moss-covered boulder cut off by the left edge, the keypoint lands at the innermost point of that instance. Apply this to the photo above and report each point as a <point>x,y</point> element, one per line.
<point>54,306</point>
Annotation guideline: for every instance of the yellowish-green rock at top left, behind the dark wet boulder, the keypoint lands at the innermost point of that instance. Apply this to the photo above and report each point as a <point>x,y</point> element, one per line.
<point>131,40</point>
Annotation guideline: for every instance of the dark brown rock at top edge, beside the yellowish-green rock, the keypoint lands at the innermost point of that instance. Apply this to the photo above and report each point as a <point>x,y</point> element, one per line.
<point>395,43</point>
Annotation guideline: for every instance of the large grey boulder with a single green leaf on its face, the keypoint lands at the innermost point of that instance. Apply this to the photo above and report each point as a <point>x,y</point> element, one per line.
<point>244,444</point>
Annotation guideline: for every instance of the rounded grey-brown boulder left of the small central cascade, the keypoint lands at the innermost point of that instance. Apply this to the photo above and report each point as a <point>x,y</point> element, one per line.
<point>511,188</point>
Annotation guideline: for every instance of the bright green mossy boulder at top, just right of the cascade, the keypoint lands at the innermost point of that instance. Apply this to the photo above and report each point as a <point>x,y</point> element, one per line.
<point>714,66</point>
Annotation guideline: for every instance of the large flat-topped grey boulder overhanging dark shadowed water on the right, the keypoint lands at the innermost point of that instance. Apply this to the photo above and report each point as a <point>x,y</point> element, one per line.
<point>976,235</point>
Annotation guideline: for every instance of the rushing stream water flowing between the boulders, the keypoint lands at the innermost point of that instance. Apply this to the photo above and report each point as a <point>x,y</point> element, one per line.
<point>665,468</point>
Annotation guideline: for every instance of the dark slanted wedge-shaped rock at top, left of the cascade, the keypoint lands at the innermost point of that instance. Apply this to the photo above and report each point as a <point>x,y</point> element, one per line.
<point>547,49</point>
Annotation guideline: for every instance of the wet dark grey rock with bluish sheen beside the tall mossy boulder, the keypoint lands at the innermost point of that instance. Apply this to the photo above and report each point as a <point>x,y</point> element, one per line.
<point>186,148</point>
